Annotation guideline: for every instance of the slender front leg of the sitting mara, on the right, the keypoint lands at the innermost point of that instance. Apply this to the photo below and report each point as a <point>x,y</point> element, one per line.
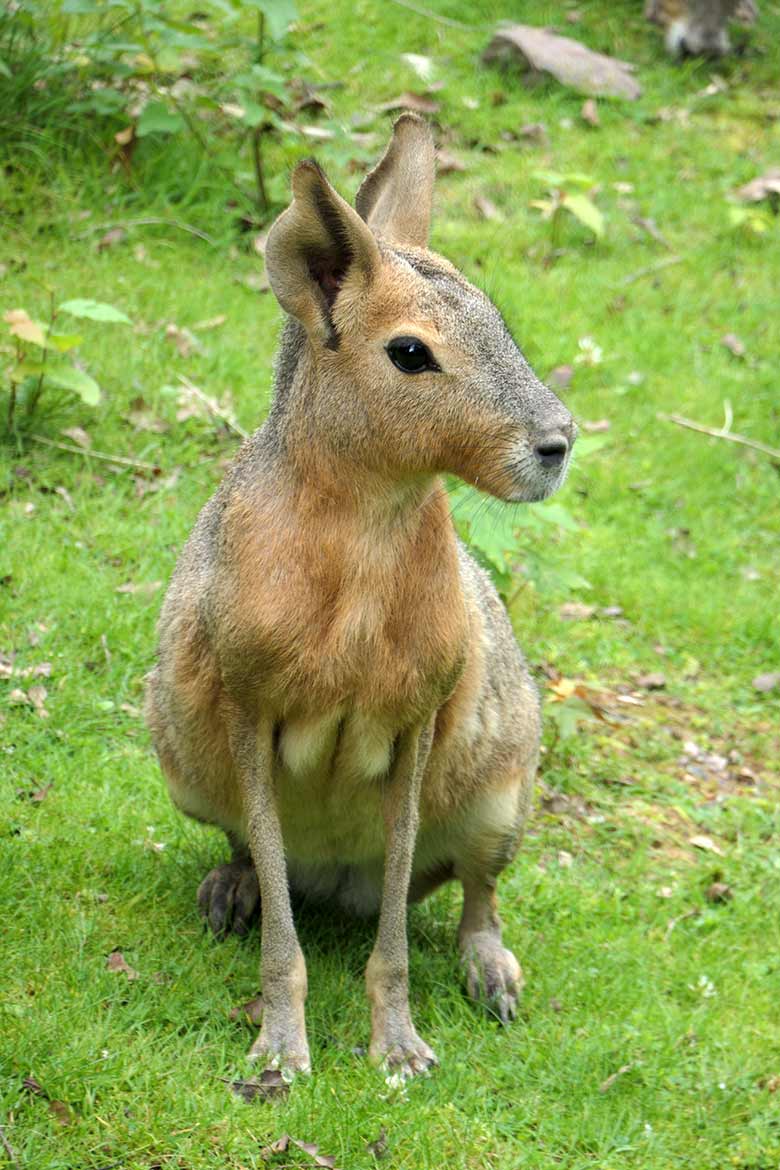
<point>394,1037</point>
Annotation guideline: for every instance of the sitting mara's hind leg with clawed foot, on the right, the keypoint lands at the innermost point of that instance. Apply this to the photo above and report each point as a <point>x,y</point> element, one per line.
<point>494,978</point>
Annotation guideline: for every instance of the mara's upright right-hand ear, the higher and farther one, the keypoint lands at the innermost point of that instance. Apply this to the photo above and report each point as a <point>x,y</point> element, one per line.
<point>396,198</point>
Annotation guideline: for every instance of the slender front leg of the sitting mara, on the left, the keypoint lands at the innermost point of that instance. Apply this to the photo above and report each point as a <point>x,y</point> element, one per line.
<point>282,1041</point>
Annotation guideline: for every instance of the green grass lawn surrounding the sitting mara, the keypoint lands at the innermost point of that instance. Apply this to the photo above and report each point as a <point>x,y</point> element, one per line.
<point>606,906</point>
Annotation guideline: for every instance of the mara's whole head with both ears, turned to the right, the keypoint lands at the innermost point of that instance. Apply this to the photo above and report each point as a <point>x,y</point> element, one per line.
<point>411,369</point>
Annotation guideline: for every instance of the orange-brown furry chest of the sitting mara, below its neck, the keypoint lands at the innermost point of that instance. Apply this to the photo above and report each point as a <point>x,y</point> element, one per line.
<point>334,617</point>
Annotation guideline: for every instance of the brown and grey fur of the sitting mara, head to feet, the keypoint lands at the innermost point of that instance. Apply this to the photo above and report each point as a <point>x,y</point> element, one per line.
<point>339,686</point>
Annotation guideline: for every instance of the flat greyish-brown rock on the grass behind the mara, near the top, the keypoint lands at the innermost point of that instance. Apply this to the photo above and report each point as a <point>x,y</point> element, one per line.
<point>571,64</point>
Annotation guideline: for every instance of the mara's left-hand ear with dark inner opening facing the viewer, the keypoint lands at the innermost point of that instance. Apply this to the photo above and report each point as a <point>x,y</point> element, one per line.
<point>314,249</point>
